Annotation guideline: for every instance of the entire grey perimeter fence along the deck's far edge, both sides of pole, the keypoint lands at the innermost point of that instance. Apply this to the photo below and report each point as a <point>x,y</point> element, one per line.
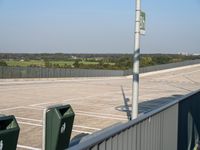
<point>42,72</point>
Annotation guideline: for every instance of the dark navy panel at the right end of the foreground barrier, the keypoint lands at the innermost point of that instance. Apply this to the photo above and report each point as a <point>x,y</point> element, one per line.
<point>189,123</point>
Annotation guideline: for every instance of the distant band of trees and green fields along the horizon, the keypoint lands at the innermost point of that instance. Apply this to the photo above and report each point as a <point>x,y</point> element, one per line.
<point>89,61</point>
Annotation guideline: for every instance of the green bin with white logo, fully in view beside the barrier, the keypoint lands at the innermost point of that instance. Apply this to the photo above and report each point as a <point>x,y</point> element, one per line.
<point>57,127</point>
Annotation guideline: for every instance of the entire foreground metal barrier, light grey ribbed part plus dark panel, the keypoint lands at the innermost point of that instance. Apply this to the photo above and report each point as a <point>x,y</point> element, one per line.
<point>171,127</point>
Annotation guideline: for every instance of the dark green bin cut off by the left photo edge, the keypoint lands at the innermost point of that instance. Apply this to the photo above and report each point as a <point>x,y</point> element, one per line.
<point>9,132</point>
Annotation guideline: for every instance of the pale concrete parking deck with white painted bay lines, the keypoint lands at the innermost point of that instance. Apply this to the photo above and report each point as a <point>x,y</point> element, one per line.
<point>97,102</point>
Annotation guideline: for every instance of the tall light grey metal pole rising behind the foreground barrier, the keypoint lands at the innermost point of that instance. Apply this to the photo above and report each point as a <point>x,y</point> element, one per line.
<point>136,54</point>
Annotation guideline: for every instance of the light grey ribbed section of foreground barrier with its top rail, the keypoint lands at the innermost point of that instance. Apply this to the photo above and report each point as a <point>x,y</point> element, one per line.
<point>154,131</point>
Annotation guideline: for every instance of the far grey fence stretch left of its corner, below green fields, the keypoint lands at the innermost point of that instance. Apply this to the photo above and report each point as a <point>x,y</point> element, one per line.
<point>41,72</point>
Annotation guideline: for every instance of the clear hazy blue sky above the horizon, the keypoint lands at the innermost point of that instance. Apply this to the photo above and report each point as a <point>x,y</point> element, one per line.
<point>98,26</point>
